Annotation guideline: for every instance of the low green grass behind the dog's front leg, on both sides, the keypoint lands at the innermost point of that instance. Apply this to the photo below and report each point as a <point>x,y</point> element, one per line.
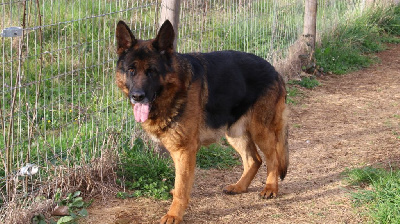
<point>147,174</point>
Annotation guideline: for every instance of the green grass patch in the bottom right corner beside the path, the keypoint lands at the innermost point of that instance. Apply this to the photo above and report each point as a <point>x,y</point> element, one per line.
<point>381,197</point>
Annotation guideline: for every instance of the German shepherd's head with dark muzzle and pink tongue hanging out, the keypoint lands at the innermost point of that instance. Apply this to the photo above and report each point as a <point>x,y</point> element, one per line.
<point>143,65</point>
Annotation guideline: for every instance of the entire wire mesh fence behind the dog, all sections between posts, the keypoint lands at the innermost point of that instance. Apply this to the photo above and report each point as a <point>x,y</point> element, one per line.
<point>59,106</point>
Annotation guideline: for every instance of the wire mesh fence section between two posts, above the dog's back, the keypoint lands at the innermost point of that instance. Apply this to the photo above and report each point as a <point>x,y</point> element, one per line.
<point>260,27</point>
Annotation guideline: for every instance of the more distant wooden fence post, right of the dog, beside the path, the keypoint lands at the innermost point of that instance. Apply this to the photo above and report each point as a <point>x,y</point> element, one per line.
<point>310,23</point>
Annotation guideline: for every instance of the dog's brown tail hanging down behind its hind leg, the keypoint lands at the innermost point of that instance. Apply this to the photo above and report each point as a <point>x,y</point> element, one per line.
<point>282,146</point>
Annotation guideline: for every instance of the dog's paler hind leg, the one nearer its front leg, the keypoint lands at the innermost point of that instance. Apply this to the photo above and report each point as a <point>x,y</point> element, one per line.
<point>251,162</point>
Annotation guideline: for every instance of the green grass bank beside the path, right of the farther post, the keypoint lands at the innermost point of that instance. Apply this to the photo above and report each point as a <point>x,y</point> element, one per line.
<point>349,46</point>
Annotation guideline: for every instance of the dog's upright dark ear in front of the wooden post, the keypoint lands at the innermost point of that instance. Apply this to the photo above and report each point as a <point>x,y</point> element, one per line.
<point>164,41</point>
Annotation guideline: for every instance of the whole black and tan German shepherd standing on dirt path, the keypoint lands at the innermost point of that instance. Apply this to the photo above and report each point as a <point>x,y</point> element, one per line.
<point>184,101</point>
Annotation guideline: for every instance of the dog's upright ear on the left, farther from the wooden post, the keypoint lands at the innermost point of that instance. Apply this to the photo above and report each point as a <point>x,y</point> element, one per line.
<point>124,36</point>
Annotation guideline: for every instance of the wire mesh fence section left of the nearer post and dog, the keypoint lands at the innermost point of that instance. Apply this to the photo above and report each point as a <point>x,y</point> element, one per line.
<point>58,100</point>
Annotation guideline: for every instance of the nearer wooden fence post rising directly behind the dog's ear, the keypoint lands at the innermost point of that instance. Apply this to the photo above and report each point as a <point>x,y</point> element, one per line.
<point>170,10</point>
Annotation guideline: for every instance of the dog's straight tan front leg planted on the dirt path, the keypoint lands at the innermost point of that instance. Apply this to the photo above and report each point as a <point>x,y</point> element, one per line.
<point>185,162</point>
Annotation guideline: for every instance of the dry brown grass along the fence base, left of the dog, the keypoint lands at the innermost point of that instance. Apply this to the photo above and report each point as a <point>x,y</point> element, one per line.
<point>96,178</point>
